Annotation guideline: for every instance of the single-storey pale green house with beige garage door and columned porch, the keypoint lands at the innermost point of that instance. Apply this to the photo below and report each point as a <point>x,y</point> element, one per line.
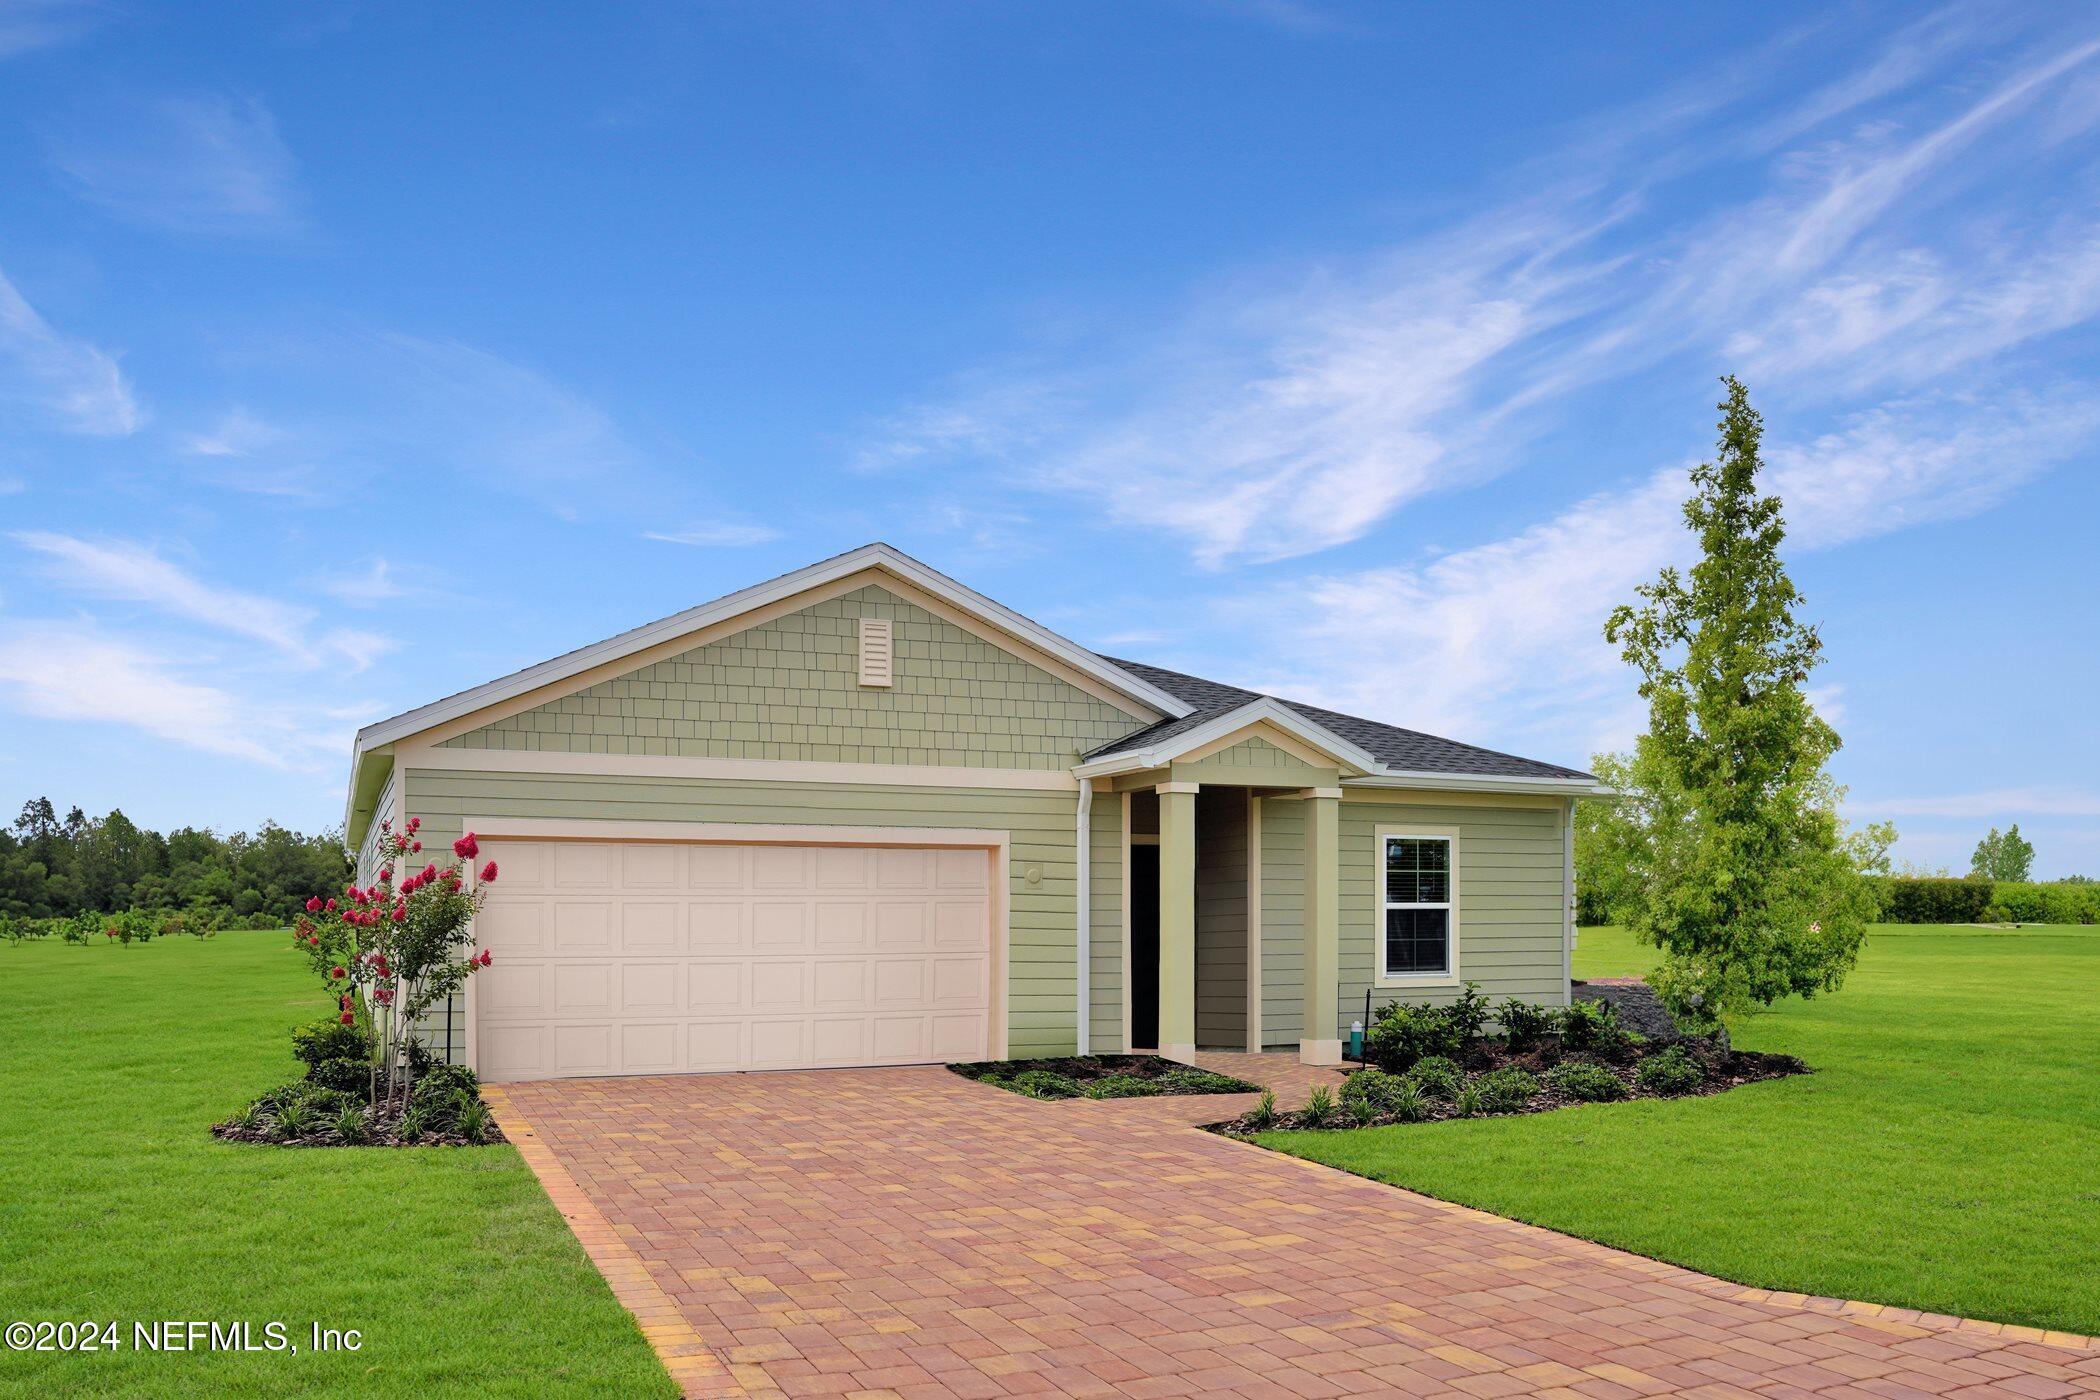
<point>866,815</point>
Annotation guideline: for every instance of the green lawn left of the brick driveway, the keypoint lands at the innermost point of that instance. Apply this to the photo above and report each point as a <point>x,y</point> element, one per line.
<point>117,1206</point>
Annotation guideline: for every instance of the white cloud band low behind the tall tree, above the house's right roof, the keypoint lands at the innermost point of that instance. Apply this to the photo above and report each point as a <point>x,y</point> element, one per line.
<point>1507,637</point>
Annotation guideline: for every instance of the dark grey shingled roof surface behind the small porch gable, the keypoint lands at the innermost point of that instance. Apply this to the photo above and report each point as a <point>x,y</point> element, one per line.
<point>1395,750</point>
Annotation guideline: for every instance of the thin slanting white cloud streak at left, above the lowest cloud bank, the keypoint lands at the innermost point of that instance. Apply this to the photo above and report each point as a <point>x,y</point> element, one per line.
<point>135,574</point>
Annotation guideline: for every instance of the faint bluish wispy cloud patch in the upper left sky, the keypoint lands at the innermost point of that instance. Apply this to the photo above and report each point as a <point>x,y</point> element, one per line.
<point>203,165</point>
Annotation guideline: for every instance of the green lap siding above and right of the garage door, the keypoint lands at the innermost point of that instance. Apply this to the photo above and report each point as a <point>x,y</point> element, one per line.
<point>1043,1004</point>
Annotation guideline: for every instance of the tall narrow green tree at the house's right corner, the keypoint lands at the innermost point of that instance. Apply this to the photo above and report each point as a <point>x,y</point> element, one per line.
<point>1748,885</point>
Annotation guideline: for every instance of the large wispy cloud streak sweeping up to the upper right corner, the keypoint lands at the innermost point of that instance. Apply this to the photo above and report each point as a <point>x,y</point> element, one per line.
<point>1299,412</point>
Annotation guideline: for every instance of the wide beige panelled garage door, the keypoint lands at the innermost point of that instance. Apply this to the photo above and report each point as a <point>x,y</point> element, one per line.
<point>684,958</point>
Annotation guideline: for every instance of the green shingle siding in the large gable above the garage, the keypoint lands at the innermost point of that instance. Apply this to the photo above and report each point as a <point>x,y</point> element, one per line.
<point>791,690</point>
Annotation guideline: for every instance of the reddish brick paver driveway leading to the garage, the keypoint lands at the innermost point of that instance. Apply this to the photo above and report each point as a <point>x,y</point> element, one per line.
<point>912,1233</point>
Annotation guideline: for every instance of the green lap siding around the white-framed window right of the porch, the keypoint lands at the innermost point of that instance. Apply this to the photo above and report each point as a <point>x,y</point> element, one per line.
<point>1511,901</point>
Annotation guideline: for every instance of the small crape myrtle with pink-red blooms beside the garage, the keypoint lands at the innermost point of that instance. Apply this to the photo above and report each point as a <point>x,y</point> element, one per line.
<point>398,948</point>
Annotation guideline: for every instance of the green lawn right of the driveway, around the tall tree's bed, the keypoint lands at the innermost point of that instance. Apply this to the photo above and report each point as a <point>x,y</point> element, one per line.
<point>1946,1155</point>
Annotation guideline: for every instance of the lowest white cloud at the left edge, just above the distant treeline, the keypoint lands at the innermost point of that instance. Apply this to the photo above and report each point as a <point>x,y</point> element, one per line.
<point>70,673</point>
